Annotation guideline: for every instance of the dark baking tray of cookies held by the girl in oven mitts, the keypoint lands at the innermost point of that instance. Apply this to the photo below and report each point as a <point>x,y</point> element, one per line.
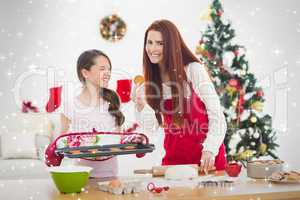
<point>105,150</point>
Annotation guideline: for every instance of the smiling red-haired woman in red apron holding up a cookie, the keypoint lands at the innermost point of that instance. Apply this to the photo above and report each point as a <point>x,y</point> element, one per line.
<point>178,89</point>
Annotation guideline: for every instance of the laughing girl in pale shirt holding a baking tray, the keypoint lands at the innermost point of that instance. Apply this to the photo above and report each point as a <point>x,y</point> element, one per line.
<point>95,107</point>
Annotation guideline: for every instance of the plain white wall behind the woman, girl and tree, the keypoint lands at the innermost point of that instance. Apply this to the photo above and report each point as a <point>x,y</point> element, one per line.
<point>51,34</point>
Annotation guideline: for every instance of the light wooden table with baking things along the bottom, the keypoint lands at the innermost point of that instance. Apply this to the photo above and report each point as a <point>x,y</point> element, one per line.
<point>44,189</point>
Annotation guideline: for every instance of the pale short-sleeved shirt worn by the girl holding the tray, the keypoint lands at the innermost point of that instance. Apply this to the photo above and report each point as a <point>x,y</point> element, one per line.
<point>83,119</point>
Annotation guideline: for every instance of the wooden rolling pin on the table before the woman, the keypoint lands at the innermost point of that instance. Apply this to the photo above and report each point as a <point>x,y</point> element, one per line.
<point>157,171</point>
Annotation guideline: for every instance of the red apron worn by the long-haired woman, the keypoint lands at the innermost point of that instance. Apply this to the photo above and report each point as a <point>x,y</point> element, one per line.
<point>184,145</point>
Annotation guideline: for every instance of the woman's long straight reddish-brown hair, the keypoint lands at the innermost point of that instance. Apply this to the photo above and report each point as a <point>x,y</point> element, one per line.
<point>176,56</point>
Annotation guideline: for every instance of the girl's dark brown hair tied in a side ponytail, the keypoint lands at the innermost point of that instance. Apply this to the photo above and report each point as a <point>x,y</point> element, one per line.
<point>86,61</point>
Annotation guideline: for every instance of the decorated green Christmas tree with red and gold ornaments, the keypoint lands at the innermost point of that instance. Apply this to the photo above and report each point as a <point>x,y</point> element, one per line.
<point>250,133</point>
